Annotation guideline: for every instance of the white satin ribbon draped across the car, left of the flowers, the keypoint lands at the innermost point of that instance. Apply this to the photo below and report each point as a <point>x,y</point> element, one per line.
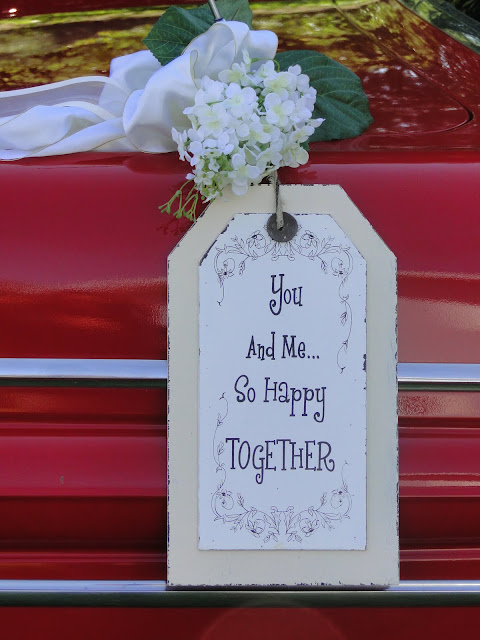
<point>134,109</point>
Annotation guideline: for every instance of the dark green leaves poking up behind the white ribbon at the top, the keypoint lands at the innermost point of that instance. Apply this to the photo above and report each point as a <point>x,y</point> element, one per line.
<point>177,27</point>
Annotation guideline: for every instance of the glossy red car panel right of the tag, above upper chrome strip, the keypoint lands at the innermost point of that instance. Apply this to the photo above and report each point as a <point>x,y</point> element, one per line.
<point>423,206</point>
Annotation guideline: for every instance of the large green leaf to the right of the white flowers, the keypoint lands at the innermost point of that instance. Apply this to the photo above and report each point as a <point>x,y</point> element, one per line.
<point>340,96</point>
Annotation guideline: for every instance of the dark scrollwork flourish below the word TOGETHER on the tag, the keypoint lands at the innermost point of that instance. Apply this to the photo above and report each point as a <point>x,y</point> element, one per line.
<point>290,524</point>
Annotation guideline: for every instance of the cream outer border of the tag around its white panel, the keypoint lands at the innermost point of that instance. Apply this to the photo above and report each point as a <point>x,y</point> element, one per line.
<point>378,562</point>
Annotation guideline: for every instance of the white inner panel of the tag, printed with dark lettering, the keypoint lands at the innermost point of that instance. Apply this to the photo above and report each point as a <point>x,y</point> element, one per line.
<point>282,404</point>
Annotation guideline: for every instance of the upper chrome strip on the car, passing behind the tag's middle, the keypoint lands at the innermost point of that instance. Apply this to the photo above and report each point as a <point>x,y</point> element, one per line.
<point>40,370</point>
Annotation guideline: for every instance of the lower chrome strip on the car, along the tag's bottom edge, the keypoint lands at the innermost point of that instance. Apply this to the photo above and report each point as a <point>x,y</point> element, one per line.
<point>79,593</point>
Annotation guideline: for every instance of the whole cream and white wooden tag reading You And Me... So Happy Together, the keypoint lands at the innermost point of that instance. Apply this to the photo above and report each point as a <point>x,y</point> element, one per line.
<point>282,397</point>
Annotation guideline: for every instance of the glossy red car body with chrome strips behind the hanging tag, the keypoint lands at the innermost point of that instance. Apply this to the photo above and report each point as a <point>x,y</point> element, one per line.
<point>83,277</point>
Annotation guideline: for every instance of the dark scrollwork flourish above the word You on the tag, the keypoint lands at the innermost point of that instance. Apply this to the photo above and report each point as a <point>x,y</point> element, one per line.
<point>334,258</point>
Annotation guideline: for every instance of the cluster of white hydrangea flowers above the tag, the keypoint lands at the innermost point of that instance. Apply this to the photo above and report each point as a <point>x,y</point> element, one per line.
<point>246,125</point>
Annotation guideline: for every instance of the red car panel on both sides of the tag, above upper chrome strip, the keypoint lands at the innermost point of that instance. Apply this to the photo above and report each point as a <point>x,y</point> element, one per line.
<point>101,289</point>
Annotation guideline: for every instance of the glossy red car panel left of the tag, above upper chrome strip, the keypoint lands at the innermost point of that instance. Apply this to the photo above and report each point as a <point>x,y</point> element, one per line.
<point>102,247</point>
